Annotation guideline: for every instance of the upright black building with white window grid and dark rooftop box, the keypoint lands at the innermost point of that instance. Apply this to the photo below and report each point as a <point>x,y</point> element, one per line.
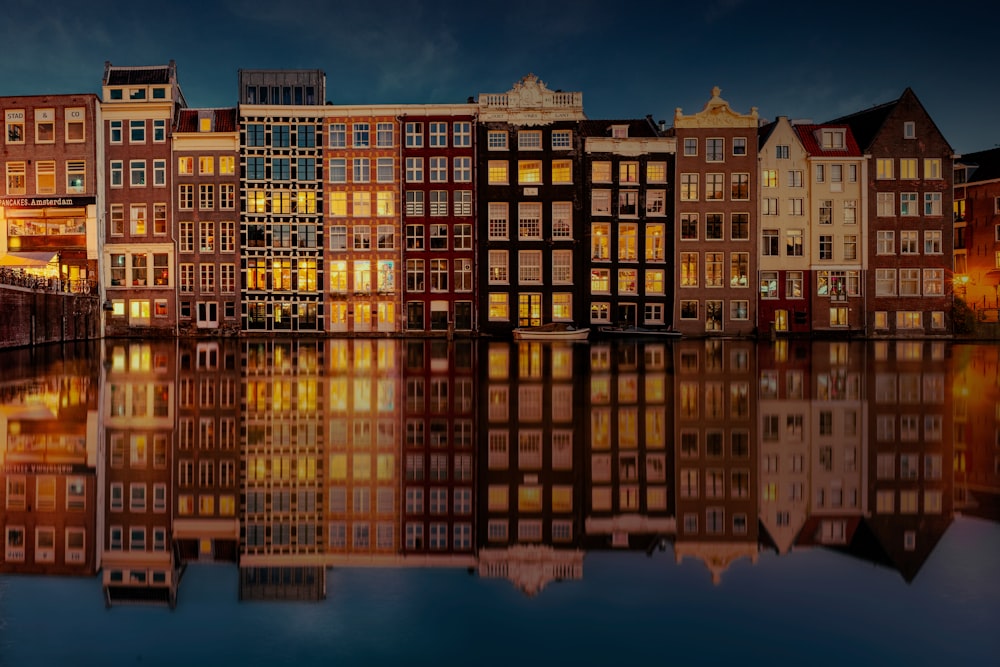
<point>281,187</point>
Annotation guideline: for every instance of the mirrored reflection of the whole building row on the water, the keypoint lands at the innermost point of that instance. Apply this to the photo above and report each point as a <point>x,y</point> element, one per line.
<point>513,461</point>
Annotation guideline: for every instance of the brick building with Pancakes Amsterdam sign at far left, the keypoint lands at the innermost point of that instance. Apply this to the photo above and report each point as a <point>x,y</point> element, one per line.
<point>48,218</point>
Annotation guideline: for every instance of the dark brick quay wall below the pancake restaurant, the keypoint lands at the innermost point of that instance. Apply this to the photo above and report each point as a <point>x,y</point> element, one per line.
<point>32,317</point>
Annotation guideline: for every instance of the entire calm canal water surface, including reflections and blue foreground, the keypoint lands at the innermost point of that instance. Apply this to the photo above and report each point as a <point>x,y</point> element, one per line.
<point>384,501</point>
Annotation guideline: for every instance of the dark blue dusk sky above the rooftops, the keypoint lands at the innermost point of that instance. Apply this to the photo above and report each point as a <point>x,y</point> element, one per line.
<point>804,60</point>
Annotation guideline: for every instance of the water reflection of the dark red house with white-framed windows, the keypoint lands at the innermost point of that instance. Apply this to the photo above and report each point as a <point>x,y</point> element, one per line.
<point>439,482</point>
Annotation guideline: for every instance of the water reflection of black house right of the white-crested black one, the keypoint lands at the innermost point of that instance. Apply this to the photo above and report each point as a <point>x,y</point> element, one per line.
<point>630,468</point>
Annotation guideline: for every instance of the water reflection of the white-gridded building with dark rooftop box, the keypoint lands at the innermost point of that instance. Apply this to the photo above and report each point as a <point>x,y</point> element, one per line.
<point>281,445</point>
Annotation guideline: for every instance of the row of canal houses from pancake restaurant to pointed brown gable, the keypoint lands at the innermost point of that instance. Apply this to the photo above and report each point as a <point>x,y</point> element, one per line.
<point>286,213</point>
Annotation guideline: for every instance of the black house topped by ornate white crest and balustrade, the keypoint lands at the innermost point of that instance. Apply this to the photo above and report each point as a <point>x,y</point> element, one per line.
<point>529,222</point>
